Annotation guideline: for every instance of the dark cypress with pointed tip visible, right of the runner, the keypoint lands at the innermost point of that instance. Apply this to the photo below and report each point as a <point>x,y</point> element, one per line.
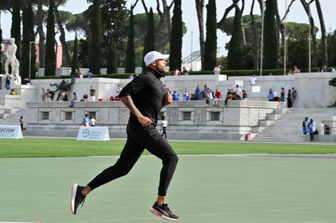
<point>235,52</point>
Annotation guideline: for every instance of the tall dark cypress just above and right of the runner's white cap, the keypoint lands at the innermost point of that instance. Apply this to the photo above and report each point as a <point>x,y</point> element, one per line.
<point>175,58</point>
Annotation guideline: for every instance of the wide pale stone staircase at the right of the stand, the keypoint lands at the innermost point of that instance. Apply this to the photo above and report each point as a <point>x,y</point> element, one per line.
<point>288,127</point>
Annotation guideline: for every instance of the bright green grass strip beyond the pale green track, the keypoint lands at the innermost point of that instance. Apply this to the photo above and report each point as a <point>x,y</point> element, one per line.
<point>54,147</point>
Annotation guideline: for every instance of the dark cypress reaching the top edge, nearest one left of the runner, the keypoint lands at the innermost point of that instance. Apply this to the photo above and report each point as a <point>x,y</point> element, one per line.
<point>96,40</point>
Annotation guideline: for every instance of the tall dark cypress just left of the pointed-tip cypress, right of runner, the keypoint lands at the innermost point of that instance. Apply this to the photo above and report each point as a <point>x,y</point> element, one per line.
<point>210,46</point>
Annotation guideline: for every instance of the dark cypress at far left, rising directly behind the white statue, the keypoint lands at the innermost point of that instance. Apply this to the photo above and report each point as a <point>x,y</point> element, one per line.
<point>16,26</point>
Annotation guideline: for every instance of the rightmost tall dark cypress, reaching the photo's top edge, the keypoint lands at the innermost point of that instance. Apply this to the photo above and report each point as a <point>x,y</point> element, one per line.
<point>270,36</point>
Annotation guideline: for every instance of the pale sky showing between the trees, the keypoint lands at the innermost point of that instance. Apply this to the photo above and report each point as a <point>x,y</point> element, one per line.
<point>191,38</point>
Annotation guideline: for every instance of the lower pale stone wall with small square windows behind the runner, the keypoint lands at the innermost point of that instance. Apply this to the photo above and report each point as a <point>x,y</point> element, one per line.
<point>186,120</point>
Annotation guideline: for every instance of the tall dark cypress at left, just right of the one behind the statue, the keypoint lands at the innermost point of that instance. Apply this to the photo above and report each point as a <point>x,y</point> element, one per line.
<point>28,46</point>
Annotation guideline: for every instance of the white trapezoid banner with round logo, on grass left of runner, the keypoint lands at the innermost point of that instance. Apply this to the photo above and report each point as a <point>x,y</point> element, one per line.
<point>93,133</point>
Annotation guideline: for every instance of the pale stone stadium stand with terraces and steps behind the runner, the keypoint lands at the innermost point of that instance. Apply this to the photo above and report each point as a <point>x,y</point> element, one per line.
<point>263,120</point>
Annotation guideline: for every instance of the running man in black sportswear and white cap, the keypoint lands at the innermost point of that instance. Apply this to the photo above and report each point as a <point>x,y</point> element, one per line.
<point>144,96</point>
